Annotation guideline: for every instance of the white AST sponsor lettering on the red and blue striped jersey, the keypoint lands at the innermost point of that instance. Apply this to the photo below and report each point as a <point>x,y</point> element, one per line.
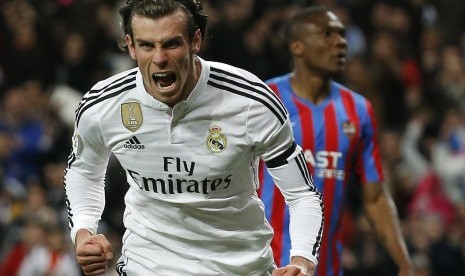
<point>325,164</point>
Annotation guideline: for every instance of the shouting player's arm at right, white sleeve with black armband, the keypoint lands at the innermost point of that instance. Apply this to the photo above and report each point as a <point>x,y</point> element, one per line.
<point>269,132</point>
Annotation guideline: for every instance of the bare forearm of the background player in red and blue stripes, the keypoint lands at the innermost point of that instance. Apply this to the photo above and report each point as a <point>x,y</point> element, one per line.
<point>383,216</point>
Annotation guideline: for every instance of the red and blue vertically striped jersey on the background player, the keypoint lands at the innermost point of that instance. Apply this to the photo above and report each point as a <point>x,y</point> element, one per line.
<point>338,137</point>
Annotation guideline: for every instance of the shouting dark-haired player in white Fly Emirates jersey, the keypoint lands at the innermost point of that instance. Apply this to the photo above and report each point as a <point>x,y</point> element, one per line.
<point>189,134</point>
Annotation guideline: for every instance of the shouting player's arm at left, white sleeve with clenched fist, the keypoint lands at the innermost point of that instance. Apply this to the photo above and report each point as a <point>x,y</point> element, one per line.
<point>85,197</point>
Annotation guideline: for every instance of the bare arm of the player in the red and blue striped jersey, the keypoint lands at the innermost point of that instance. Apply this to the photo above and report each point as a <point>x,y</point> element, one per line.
<point>382,214</point>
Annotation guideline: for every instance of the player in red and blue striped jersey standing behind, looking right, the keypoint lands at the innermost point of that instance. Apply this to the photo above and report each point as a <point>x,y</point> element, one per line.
<point>336,129</point>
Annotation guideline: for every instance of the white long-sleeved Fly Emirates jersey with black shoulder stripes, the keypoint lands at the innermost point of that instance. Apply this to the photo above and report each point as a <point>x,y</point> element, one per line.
<point>192,206</point>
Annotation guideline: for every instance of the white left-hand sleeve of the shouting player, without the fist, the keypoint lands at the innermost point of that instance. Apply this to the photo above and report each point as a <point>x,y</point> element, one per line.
<point>84,178</point>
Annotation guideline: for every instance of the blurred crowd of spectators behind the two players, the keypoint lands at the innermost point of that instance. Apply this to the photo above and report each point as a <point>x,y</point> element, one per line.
<point>406,56</point>
